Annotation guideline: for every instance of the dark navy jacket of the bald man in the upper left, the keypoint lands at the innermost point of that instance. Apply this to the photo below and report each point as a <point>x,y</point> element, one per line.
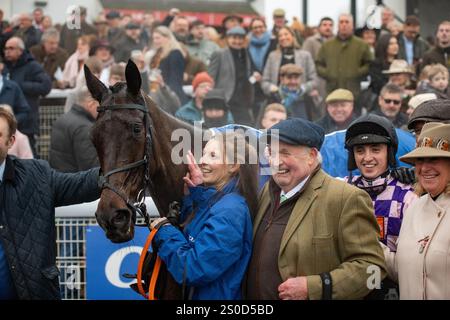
<point>34,82</point>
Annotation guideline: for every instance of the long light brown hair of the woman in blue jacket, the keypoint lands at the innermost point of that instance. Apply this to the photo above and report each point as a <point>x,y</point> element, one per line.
<point>239,151</point>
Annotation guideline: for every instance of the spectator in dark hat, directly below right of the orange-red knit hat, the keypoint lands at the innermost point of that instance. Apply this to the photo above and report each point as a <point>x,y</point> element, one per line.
<point>215,110</point>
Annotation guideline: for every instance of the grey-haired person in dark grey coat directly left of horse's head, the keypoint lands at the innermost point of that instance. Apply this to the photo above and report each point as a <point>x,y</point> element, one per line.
<point>71,146</point>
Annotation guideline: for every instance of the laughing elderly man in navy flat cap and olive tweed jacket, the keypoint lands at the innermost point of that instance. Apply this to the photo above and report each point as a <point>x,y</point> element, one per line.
<point>314,237</point>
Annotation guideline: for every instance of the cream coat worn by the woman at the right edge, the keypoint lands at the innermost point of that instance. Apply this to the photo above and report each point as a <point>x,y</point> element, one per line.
<point>423,275</point>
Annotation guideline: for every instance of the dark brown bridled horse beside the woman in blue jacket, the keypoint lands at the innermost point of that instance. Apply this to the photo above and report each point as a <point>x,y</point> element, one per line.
<point>132,136</point>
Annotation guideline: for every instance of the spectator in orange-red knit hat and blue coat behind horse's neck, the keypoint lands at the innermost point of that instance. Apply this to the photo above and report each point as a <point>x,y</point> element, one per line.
<point>192,111</point>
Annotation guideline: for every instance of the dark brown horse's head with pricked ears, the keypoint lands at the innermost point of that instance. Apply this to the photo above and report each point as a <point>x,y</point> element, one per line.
<point>122,138</point>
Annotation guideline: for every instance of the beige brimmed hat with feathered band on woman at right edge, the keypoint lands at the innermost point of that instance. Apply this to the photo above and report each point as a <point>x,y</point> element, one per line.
<point>434,142</point>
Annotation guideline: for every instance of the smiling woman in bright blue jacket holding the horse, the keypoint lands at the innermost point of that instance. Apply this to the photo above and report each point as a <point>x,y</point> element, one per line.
<point>211,254</point>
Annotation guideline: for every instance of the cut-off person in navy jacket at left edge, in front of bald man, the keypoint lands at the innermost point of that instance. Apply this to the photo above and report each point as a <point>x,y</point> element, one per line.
<point>12,95</point>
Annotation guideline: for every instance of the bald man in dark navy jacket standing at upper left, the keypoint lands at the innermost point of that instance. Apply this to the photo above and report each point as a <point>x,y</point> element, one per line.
<point>31,78</point>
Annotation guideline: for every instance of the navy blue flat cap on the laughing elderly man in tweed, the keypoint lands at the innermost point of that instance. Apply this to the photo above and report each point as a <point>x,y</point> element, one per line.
<point>298,132</point>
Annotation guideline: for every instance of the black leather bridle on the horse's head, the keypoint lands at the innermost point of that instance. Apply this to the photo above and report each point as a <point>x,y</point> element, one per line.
<point>139,206</point>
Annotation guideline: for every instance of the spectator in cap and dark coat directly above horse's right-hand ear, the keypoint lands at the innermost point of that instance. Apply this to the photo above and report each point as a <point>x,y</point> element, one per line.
<point>131,41</point>
